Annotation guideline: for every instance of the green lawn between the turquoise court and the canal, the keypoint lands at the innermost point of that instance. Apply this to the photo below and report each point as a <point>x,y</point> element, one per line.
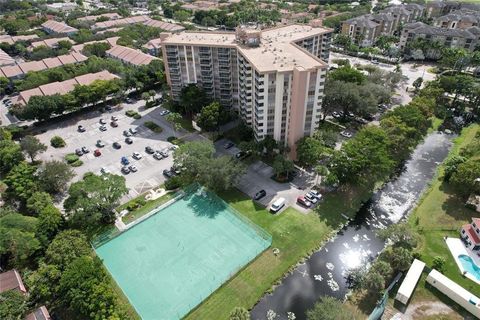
<point>295,234</point>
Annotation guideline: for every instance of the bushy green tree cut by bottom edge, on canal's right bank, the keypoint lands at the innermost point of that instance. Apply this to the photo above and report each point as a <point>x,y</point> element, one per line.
<point>329,308</point>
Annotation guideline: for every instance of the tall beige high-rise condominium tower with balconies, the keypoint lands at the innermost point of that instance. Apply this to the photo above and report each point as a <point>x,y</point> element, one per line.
<point>273,77</point>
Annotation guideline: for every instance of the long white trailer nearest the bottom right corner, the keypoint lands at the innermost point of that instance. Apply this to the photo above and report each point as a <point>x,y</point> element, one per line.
<point>455,292</point>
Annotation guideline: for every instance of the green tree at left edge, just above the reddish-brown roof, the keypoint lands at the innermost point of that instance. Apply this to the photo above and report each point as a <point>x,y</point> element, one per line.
<point>17,238</point>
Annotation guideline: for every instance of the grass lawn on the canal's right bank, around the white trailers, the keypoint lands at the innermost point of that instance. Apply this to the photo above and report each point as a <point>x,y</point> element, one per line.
<point>439,213</point>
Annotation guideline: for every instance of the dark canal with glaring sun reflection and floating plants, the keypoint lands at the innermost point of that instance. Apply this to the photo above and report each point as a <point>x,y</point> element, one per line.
<point>324,272</point>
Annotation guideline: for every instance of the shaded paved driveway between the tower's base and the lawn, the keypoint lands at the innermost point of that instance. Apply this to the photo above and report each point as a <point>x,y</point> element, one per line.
<point>258,177</point>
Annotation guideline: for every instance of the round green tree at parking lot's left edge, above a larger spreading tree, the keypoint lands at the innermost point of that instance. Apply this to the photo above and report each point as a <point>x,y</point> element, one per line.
<point>54,176</point>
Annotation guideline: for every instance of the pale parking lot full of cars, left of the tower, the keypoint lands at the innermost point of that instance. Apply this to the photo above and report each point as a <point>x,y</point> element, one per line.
<point>150,170</point>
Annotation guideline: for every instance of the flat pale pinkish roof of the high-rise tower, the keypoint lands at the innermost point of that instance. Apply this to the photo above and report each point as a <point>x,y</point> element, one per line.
<point>277,50</point>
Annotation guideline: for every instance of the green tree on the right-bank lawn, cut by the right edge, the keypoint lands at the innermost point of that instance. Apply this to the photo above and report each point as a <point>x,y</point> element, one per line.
<point>465,178</point>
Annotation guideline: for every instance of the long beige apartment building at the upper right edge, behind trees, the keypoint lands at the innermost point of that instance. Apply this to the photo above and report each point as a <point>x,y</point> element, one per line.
<point>451,38</point>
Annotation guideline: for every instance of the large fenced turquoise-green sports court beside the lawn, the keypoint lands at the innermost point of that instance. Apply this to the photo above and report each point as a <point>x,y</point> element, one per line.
<point>169,263</point>
